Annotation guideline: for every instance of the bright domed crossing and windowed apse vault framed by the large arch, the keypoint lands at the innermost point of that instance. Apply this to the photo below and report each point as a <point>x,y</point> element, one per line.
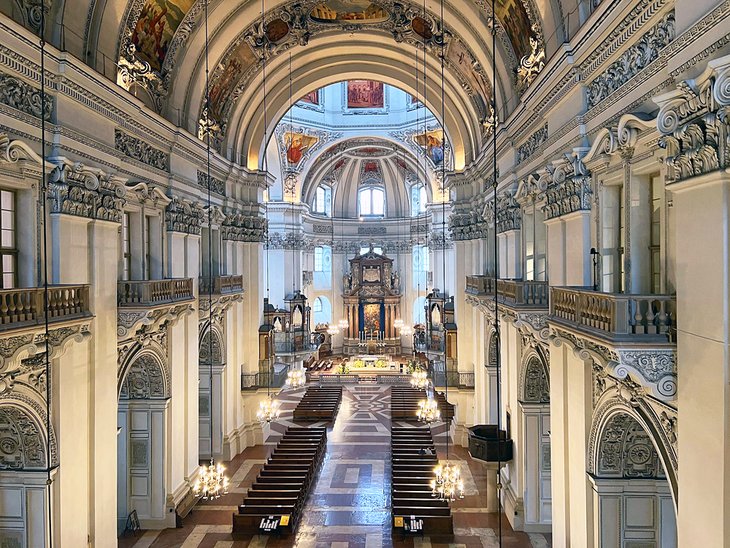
<point>356,149</point>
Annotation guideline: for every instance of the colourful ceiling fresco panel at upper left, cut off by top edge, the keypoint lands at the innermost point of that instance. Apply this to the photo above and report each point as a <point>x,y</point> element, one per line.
<point>155,28</point>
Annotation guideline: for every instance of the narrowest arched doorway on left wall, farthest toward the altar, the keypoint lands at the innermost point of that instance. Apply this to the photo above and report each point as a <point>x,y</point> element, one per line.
<point>210,360</point>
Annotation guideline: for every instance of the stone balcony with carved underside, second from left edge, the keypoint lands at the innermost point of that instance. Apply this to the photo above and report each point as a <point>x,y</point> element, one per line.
<point>152,303</point>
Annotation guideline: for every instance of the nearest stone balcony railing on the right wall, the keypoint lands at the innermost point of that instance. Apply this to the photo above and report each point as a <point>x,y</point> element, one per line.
<point>613,314</point>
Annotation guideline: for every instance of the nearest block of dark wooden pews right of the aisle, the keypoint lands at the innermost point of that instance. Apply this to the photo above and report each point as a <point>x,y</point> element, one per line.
<point>414,509</point>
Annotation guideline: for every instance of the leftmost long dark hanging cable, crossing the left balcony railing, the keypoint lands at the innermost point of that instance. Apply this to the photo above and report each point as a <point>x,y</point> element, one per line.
<point>46,304</point>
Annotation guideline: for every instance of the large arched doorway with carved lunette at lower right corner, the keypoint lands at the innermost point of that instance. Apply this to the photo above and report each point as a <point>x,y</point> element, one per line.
<point>633,503</point>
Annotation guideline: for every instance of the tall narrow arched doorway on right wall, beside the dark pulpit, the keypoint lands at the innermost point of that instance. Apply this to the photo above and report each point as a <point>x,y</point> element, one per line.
<point>535,441</point>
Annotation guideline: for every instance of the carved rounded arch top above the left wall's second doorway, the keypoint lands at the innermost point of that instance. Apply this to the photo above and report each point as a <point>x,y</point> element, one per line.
<point>145,377</point>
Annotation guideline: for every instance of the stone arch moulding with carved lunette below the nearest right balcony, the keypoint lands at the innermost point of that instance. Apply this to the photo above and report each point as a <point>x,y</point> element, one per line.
<point>640,416</point>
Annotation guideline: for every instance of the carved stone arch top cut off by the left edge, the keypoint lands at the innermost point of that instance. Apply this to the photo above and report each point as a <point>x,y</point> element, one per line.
<point>23,440</point>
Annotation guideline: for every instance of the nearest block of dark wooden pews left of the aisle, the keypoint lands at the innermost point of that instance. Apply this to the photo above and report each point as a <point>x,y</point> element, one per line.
<point>275,501</point>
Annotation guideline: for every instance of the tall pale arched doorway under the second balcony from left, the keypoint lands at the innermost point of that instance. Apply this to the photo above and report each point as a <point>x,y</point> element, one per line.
<point>144,394</point>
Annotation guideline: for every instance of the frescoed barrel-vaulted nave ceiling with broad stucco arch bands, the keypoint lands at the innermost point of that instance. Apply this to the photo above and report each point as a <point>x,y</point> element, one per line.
<point>155,49</point>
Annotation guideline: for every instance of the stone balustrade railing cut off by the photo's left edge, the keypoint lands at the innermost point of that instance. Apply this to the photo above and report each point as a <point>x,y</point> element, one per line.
<point>25,307</point>
